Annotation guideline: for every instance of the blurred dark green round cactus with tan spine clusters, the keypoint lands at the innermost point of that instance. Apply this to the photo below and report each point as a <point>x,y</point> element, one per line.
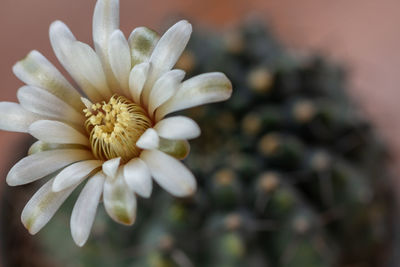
<point>290,174</point>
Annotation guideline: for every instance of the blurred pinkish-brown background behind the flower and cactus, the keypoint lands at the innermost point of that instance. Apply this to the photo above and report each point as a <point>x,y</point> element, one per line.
<point>360,35</point>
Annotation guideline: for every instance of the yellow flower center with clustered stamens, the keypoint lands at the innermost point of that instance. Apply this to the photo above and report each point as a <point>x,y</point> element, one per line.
<point>115,127</point>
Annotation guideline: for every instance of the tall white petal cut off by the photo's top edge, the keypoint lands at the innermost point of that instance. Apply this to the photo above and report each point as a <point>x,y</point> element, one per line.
<point>105,22</point>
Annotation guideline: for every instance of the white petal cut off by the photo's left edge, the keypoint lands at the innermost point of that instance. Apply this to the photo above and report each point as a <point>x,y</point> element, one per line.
<point>13,117</point>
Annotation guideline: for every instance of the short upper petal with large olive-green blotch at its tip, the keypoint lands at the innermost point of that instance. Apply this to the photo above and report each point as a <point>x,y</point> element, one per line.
<point>142,42</point>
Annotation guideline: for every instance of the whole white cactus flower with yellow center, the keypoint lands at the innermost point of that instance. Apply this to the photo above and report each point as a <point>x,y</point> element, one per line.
<point>112,133</point>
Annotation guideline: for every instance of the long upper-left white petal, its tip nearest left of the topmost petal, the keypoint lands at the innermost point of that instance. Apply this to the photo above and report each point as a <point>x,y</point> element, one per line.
<point>62,40</point>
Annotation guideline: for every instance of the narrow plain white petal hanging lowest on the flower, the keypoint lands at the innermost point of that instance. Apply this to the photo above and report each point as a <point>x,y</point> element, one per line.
<point>85,208</point>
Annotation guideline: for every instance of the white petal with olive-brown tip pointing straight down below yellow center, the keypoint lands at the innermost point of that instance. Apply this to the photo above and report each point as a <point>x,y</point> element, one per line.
<point>119,200</point>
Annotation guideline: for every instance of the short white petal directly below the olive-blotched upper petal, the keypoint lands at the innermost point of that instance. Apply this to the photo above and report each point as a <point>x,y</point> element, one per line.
<point>137,78</point>
